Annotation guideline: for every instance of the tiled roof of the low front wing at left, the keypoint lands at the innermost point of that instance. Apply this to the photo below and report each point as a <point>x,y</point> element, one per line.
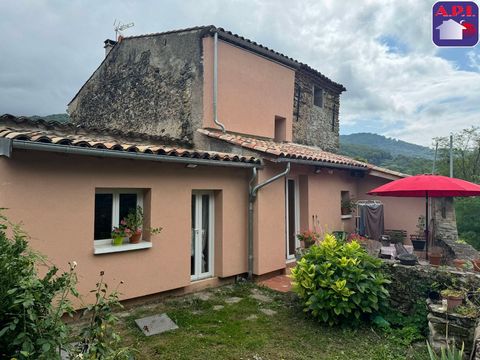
<point>40,131</point>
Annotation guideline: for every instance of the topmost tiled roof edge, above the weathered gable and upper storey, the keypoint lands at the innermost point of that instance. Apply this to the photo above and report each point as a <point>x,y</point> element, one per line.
<point>252,45</point>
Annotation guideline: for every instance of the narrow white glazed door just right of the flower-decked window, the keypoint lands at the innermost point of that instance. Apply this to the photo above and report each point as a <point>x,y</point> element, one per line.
<point>201,262</point>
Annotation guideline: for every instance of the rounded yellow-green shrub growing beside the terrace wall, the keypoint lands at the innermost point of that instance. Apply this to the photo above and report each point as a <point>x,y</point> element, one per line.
<point>339,282</point>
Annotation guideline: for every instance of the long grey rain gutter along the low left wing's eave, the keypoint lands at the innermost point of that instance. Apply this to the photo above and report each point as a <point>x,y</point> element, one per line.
<point>73,150</point>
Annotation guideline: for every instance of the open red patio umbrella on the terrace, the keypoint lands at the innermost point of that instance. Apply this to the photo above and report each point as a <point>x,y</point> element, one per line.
<point>427,186</point>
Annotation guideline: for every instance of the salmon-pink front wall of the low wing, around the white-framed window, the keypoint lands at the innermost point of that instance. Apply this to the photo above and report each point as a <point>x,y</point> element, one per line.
<point>53,195</point>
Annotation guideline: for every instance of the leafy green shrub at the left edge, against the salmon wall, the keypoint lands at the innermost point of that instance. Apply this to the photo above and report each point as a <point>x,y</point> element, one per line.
<point>30,318</point>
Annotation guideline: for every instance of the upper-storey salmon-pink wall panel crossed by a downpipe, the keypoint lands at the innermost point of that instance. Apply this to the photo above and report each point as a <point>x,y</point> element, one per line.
<point>251,91</point>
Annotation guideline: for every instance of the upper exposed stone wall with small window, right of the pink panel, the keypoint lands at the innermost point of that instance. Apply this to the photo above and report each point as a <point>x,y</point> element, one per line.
<point>312,125</point>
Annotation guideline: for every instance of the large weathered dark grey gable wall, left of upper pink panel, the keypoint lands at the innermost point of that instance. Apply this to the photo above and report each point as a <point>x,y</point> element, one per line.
<point>152,84</point>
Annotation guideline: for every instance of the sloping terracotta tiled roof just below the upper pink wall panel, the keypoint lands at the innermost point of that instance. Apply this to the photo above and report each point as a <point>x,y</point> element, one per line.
<point>284,149</point>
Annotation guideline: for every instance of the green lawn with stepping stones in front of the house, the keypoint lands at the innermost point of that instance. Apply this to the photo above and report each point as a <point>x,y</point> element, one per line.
<point>205,333</point>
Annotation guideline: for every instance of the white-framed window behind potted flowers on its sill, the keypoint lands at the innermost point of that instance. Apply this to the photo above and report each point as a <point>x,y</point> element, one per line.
<point>111,206</point>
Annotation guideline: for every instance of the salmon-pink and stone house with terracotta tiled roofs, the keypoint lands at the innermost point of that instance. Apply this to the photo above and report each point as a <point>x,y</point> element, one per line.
<point>226,144</point>
